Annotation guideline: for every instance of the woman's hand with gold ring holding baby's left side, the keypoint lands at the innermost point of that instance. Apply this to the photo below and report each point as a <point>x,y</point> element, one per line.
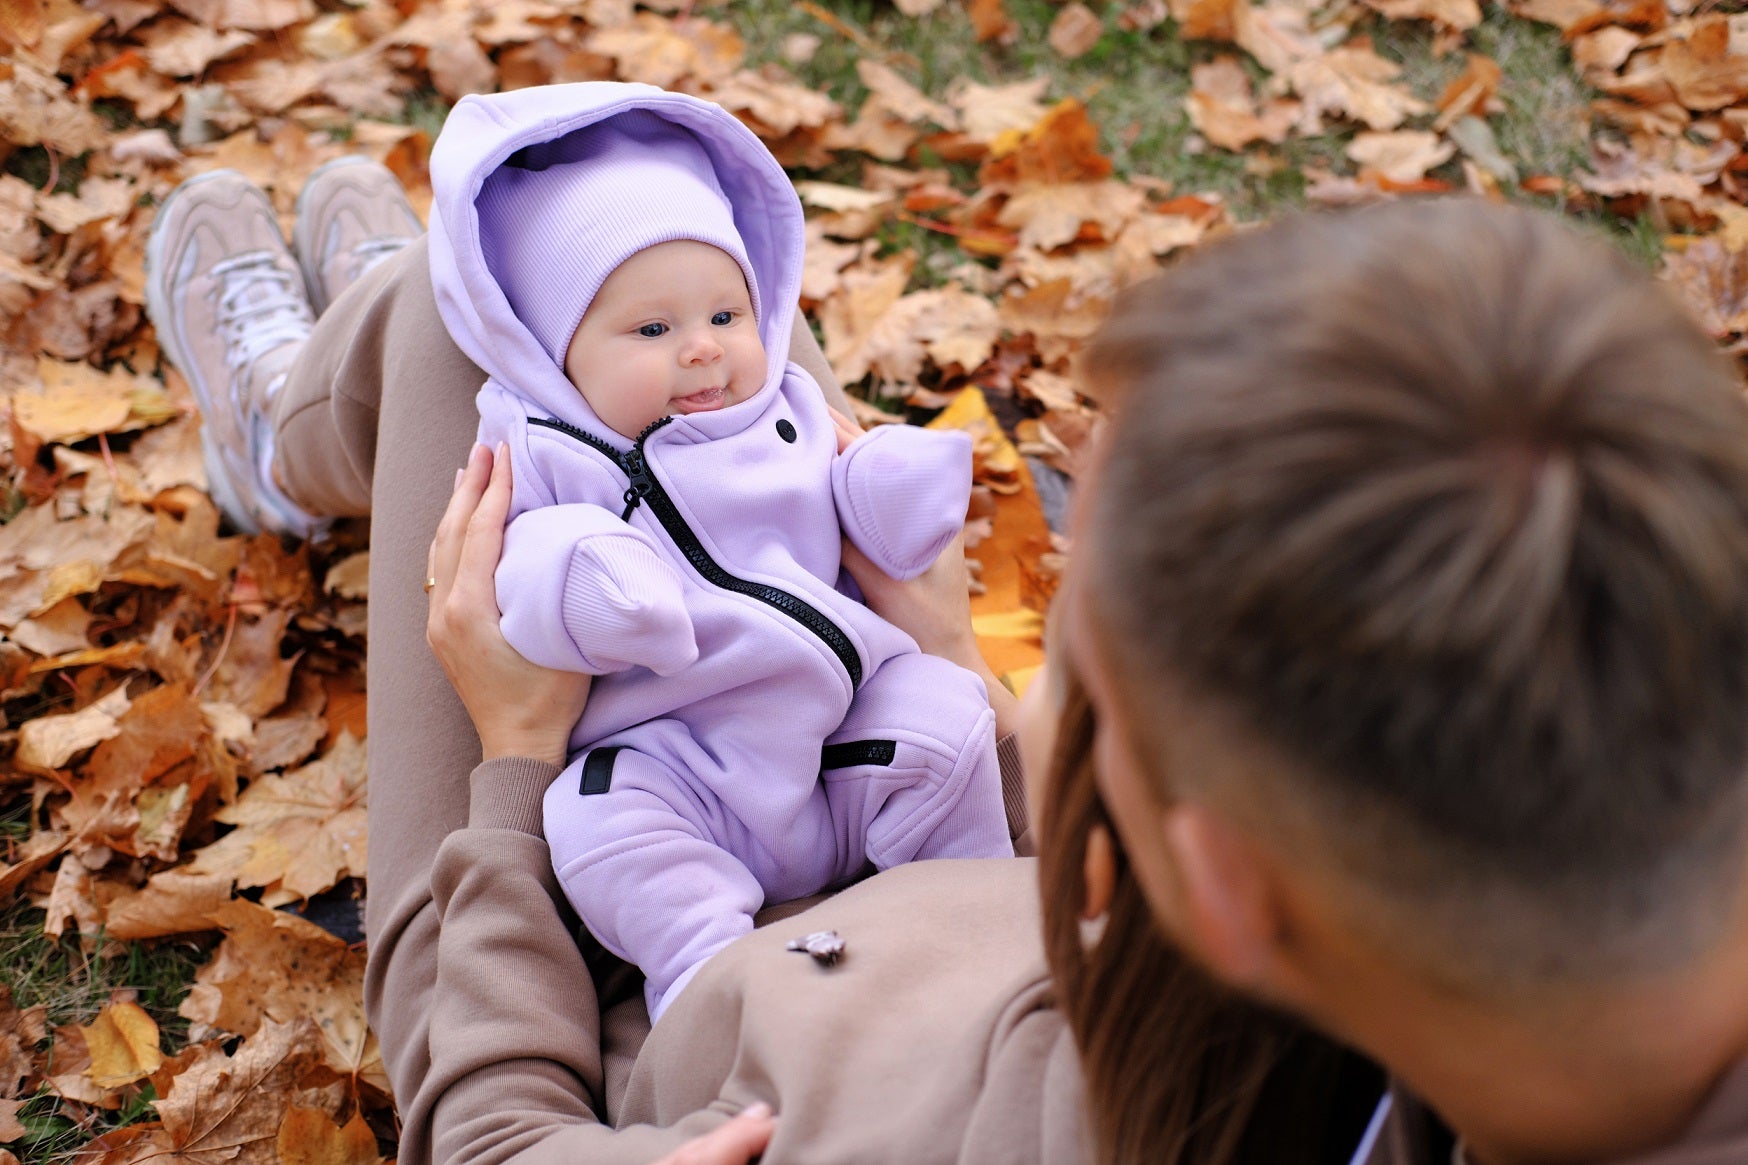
<point>518,709</point>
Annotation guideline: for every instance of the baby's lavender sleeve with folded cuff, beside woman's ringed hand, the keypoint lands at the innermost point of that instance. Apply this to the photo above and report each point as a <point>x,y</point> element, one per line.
<point>579,590</point>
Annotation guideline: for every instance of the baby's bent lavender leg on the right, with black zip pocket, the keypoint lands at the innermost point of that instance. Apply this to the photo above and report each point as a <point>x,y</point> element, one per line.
<point>912,772</point>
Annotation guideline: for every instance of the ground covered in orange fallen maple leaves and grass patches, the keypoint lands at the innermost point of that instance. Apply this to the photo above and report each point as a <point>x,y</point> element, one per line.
<point>183,799</point>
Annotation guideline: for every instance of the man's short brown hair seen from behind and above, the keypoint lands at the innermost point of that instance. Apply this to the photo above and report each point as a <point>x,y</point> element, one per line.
<point>1450,506</point>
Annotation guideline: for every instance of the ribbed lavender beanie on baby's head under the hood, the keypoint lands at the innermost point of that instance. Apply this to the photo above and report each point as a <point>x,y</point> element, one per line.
<point>558,218</point>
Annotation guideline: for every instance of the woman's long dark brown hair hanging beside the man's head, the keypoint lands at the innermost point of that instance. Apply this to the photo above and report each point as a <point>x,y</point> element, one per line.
<point>1179,1071</point>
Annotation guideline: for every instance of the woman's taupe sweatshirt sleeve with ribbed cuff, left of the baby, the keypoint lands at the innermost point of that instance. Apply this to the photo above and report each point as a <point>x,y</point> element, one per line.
<point>515,1042</point>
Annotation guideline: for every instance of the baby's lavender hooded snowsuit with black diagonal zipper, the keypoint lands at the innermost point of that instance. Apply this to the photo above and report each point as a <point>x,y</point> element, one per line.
<point>758,734</point>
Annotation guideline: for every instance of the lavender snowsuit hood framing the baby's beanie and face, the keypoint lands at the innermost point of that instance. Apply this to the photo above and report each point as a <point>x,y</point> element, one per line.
<point>487,132</point>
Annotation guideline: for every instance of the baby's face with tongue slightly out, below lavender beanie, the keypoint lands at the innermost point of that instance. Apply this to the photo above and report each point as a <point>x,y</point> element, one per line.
<point>670,331</point>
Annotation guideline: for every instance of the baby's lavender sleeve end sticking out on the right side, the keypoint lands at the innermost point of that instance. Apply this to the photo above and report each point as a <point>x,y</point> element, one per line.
<point>903,494</point>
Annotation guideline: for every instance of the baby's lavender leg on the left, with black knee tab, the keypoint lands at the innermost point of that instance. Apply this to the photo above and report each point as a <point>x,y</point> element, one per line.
<point>634,849</point>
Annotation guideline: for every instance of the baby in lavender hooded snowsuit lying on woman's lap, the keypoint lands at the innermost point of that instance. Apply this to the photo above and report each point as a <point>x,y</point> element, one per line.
<point>625,263</point>
